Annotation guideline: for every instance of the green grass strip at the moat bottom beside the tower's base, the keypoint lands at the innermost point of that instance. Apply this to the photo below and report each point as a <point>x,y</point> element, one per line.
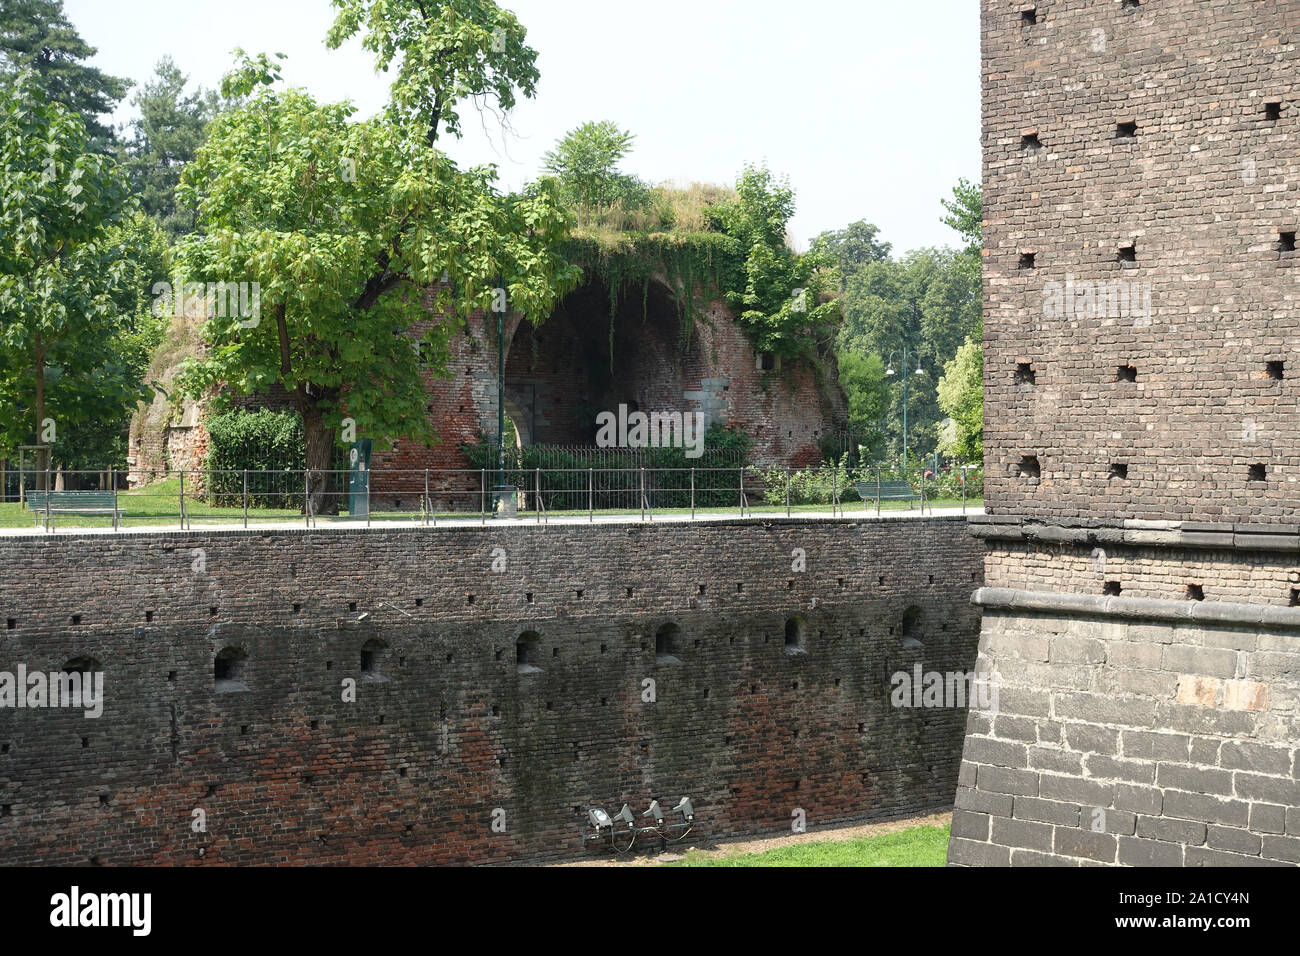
<point>922,846</point>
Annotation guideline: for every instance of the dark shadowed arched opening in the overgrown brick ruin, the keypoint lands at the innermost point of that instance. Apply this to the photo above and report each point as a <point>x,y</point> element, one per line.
<point>561,375</point>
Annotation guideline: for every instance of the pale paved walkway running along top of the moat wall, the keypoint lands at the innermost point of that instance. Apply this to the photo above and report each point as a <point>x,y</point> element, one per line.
<point>379,524</point>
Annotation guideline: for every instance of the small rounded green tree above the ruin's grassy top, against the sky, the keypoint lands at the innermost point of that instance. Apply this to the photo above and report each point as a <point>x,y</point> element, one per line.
<point>587,165</point>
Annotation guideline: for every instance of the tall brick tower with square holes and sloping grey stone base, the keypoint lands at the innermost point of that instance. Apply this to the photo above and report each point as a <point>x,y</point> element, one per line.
<point>1141,213</point>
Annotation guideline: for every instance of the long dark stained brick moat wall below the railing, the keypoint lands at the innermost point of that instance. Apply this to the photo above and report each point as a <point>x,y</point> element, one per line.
<point>447,729</point>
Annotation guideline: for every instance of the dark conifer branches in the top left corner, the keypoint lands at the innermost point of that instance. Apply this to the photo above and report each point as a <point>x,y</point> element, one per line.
<point>36,36</point>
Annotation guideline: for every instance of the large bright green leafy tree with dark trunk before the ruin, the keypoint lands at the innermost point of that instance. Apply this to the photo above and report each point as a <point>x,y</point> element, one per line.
<point>348,228</point>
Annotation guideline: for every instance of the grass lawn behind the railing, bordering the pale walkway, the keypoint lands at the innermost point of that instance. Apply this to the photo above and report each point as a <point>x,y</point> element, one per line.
<point>159,504</point>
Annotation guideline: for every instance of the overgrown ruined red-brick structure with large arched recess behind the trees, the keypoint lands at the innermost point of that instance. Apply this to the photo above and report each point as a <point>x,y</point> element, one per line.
<point>558,375</point>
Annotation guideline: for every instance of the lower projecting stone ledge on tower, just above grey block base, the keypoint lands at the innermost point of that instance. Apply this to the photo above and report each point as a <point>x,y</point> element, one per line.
<point>1139,608</point>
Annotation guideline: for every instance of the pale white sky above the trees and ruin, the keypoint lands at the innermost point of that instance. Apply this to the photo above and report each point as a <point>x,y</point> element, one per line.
<point>872,107</point>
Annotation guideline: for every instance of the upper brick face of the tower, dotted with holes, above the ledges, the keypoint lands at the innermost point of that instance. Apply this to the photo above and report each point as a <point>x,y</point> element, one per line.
<point>1201,193</point>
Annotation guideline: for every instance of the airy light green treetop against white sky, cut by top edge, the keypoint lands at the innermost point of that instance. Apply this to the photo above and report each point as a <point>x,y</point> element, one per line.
<point>447,53</point>
